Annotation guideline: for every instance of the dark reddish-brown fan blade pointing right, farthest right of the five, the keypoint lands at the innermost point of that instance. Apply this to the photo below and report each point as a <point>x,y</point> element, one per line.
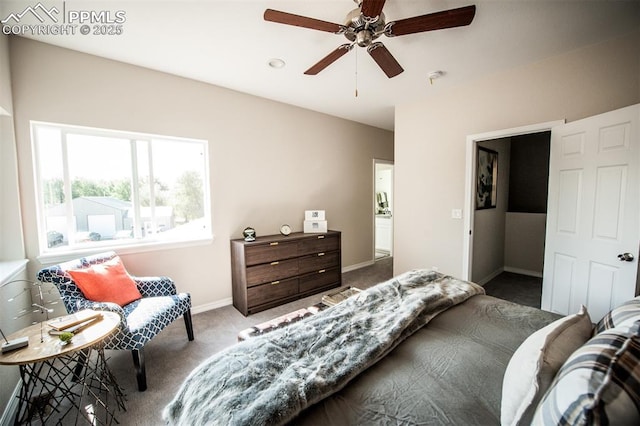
<point>433,21</point>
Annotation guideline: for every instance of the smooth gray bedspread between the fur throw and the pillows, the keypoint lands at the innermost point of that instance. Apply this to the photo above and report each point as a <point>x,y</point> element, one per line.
<point>447,373</point>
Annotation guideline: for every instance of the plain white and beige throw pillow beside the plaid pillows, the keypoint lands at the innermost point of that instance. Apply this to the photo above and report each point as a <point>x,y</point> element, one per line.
<point>535,363</point>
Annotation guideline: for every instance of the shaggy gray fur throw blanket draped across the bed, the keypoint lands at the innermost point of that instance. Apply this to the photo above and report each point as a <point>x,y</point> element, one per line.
<point>269,379</point>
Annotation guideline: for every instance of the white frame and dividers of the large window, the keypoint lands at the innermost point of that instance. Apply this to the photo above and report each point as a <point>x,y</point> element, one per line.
<point>136,244</point>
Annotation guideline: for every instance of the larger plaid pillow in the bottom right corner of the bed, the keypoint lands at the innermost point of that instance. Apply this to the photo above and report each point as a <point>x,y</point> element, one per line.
<point>599,383</point>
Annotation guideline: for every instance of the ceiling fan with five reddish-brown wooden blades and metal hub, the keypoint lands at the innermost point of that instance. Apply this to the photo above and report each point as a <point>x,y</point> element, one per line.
<point>366,23</point>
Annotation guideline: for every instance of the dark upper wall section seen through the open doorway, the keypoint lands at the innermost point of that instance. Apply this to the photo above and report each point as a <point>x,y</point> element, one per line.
<point>529,173</point>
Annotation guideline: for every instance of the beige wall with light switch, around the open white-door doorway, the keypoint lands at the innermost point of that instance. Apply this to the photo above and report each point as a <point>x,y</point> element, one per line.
<point>568,86</point>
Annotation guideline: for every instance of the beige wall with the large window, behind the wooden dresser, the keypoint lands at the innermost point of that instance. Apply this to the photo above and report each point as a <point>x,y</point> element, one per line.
<point>269,161</point>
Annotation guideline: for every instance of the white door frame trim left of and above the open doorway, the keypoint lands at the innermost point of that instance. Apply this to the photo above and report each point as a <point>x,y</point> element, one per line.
<point>470,176</point>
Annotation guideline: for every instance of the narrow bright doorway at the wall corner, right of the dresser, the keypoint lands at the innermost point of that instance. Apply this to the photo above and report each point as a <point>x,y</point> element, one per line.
<point>383,209</point>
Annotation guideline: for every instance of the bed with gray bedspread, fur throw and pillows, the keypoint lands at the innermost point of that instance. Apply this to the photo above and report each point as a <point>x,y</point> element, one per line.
<point>460,357</point>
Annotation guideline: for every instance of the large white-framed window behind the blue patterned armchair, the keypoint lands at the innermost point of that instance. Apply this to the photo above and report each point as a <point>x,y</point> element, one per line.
<point>104,188</point>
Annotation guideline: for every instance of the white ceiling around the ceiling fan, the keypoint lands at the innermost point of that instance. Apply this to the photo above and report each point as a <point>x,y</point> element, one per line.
<point>227,43</point>
